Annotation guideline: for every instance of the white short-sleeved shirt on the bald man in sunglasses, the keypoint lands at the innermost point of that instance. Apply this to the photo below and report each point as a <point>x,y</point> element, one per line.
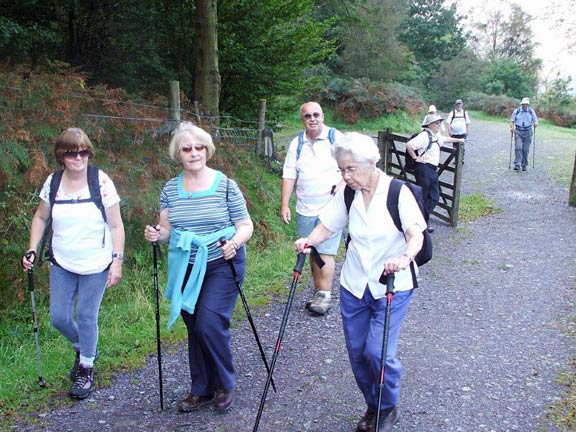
<point>316,172</point>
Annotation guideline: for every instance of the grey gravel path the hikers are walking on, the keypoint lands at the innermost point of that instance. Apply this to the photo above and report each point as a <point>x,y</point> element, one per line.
<point>482,345</point>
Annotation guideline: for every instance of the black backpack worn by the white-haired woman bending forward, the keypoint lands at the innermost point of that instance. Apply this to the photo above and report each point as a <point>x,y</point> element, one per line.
<point>425,253</point>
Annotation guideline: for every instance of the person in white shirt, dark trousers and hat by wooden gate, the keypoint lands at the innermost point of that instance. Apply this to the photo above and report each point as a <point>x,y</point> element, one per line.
<point>424,148</point>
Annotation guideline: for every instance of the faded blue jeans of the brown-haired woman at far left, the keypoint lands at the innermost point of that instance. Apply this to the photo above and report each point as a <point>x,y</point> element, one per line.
<point>74,305</point>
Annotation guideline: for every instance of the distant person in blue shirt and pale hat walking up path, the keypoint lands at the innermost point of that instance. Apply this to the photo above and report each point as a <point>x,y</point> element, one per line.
<point>521,122</point>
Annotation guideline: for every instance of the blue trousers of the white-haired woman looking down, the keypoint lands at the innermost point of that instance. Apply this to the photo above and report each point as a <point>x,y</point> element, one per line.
<point>363,321</point>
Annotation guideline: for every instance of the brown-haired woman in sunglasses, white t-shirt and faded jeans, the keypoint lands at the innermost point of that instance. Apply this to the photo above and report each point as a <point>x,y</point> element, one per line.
<point>86,251</point>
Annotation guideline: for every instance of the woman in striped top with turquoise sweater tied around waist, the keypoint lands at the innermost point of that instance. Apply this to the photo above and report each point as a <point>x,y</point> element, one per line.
<point>197,208</point>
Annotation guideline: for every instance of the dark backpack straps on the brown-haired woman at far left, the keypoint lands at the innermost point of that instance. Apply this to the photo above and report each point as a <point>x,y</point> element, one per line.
<point>95,197</point>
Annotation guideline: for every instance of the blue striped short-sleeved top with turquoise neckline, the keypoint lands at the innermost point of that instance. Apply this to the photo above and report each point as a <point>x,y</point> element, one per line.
<point>204,212</point>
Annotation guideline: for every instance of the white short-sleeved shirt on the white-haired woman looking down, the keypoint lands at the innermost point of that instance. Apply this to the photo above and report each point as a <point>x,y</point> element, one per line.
<point>374,237</point>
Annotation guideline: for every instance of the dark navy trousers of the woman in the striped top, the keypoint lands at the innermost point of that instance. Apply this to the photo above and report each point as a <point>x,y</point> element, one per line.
<point>209,351</point>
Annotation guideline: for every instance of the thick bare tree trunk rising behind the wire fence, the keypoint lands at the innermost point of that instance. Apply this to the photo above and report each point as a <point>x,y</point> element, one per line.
<point>207,79</point>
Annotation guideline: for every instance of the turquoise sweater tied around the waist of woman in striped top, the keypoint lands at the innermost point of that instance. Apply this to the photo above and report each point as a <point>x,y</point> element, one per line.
<point>178,257</point>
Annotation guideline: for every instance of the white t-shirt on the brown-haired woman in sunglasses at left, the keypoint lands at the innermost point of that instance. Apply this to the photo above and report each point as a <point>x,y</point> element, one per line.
<point>79,229</point>
